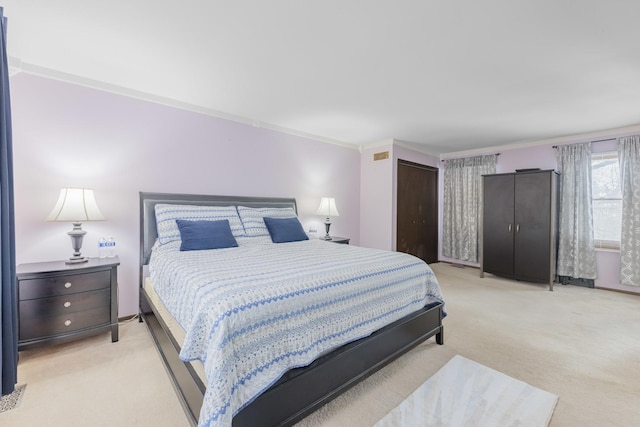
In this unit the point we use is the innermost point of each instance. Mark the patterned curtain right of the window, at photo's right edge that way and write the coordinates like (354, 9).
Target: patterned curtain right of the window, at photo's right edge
(629, 158)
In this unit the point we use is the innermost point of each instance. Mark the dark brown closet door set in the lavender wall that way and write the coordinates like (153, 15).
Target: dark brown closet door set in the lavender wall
(417, 211)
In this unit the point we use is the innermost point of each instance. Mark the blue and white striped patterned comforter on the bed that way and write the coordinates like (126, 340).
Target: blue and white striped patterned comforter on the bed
(253, 312)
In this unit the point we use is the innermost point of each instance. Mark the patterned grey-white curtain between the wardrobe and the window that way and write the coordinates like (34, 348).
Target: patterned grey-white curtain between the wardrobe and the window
(576, 248)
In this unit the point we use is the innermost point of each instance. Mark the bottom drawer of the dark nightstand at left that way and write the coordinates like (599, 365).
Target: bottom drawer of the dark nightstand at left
(41, 327)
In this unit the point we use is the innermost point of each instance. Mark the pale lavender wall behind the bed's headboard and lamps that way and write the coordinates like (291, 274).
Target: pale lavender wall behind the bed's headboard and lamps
(68, 135)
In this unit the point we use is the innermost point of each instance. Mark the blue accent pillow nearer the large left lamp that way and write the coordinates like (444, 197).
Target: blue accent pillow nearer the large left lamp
(200, 235)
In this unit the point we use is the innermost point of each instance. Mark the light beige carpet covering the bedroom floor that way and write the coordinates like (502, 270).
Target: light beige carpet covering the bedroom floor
(579, 343)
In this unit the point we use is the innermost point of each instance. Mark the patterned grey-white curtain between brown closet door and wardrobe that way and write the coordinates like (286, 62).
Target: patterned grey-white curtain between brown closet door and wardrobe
(462, 202)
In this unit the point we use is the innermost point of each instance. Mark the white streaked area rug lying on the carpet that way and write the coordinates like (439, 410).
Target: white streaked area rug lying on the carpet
(466, 393)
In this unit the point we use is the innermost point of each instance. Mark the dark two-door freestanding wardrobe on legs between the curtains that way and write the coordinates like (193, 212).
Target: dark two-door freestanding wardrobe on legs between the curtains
(519, 227)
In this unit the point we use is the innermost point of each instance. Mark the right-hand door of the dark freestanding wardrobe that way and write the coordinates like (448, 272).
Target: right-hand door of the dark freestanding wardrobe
(532, 241)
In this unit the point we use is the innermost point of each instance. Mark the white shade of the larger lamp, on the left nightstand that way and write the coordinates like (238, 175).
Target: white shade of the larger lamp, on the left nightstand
(76, 205)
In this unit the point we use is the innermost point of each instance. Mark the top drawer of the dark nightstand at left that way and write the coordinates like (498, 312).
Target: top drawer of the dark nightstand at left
(43, 287)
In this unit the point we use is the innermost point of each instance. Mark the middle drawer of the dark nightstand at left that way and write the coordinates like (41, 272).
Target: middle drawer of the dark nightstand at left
(64, 304)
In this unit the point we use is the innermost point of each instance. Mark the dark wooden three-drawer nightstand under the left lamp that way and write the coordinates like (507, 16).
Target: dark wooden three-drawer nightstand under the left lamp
(59, 302)
